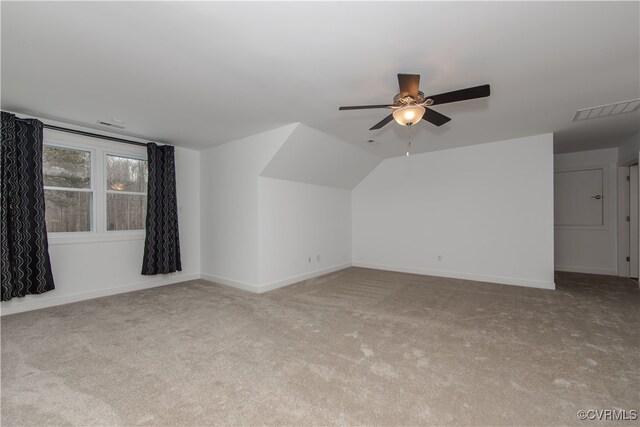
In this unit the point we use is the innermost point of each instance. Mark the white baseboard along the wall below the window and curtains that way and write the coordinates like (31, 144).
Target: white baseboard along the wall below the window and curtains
(35, 302)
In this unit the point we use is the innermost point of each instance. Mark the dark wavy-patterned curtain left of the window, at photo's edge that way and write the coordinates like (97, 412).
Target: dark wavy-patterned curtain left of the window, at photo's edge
(25, 266)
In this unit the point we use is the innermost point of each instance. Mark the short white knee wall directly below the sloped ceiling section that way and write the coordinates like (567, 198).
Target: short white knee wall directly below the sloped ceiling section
(304, 231)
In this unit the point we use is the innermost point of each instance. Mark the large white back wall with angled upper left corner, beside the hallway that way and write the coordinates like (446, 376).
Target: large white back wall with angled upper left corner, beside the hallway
(486, 209)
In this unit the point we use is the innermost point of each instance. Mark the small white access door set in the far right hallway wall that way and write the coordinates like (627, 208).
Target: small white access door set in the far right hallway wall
(578, 198)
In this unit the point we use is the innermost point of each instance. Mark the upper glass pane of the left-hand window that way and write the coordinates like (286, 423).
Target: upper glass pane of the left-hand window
(63, 167)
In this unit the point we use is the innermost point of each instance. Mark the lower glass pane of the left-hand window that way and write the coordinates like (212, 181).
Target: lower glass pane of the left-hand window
(68, 211)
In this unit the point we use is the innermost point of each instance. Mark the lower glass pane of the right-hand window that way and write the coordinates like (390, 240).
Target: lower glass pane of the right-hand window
(126, 211)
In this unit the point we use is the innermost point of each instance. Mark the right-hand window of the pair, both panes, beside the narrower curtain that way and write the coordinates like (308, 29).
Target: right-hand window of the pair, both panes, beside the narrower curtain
(126, 193)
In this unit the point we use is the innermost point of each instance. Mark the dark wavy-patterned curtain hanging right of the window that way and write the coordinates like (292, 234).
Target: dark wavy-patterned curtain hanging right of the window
(162, 243)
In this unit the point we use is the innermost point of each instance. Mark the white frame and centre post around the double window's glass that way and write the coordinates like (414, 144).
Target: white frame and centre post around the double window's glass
(99, 149)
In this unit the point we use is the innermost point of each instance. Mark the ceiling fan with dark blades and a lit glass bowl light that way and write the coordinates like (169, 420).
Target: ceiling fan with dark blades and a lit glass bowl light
(410, 105)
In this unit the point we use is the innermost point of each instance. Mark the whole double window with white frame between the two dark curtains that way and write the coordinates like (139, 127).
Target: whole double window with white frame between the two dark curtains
(93, 188)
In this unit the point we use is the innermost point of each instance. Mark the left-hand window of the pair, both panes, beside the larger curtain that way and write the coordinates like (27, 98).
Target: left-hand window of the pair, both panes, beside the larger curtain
(68, 189)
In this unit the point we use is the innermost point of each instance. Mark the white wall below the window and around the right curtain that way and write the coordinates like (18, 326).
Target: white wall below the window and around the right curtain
(90, 267)
